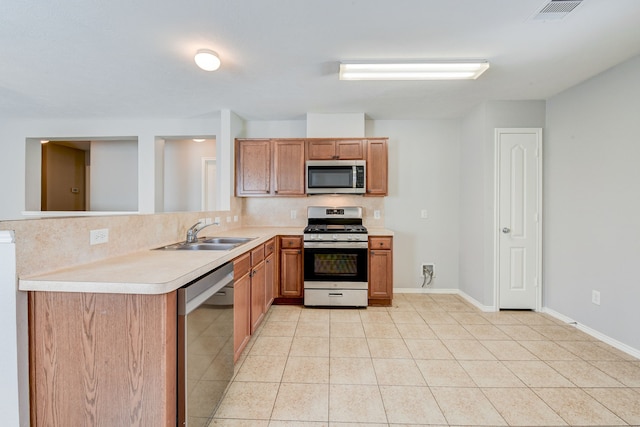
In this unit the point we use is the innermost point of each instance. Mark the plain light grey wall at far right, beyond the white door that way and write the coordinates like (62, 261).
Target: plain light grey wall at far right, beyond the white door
(592, 203)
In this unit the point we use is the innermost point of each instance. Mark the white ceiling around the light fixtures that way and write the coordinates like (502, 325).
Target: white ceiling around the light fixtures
(134, 58)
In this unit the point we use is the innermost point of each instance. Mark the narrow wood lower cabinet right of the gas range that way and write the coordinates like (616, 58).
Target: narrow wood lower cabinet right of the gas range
(380, 270)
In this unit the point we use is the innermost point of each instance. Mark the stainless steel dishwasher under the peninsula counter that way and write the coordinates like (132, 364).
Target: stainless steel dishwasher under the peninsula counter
(205, 345)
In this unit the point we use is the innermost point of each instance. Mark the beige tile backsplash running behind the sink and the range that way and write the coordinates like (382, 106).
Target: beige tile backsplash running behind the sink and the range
(48, 244)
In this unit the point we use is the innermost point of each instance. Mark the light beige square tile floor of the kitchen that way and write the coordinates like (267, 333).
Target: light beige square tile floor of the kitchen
(429, 360)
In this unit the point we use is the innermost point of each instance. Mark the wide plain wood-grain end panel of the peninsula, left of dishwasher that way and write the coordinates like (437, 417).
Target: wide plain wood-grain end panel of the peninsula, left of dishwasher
(102, 359)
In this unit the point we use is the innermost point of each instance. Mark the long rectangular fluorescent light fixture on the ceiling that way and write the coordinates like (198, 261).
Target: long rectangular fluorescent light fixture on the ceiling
(413, 70)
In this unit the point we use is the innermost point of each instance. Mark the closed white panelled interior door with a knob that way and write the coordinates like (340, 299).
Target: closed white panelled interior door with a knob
(518, 221)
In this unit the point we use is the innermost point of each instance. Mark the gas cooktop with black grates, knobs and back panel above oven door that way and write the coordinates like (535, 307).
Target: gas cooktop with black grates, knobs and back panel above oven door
(335, 224)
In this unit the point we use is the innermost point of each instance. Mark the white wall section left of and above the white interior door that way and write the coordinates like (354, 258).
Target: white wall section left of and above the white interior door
(477, 187)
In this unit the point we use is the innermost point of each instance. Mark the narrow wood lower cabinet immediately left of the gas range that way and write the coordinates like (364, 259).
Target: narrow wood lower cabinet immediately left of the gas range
(291, 264)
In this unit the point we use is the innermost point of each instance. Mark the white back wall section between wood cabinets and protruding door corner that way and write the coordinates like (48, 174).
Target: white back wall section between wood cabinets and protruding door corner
(424, 170)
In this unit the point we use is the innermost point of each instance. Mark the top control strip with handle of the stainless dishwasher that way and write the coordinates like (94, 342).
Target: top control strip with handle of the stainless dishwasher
(196, 293)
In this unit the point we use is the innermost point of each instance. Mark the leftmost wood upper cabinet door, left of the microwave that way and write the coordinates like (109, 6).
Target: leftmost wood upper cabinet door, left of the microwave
(253, 167)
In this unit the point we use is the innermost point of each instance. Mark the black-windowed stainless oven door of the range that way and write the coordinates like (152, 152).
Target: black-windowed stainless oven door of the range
(335, 265)
